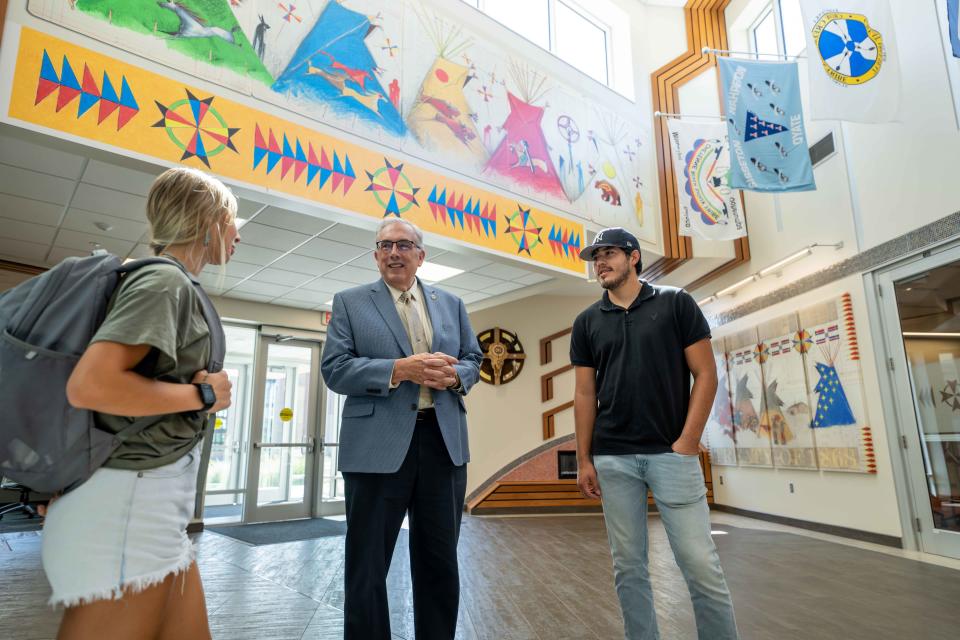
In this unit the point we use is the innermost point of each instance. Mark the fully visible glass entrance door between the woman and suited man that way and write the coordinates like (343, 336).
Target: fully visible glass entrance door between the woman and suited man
(283, 462)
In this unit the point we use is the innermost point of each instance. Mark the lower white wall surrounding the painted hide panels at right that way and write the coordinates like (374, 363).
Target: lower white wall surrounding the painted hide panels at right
(866, 502)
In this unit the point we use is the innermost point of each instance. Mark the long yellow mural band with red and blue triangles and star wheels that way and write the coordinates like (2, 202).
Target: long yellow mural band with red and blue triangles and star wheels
(78, 93)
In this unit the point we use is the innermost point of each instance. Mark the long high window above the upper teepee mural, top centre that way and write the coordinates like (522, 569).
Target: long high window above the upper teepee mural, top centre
(566, 29)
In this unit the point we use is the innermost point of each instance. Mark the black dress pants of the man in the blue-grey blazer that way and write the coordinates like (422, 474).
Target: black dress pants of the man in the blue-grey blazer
(431, 490)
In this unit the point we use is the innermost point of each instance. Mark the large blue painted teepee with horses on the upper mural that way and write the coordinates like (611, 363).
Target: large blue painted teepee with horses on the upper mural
(333, 64)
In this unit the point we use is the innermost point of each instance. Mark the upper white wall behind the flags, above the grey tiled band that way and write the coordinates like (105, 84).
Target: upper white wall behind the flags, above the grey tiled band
(902, 175)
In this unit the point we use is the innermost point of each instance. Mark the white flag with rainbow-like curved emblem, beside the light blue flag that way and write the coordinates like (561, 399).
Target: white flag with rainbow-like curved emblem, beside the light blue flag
(709, 208)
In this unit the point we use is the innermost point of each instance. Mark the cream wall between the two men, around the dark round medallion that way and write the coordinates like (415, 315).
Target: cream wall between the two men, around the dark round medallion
(505, 421)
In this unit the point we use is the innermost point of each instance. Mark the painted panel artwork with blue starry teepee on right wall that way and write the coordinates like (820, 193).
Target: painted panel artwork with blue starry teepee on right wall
(796, 395)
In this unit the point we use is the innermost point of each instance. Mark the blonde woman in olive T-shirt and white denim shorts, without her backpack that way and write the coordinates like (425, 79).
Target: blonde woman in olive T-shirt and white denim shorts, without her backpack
(115, 550)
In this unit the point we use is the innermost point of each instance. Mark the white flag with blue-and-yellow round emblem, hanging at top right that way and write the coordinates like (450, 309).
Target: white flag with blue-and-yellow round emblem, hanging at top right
(851, 60)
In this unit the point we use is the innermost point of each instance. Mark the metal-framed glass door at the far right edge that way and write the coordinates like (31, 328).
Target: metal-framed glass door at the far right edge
(925, 315)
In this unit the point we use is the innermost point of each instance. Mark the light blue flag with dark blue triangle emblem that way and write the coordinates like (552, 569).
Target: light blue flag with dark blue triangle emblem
(768, 143)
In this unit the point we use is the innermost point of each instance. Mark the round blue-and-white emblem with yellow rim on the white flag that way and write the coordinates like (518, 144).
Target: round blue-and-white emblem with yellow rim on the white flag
(850, 50)
